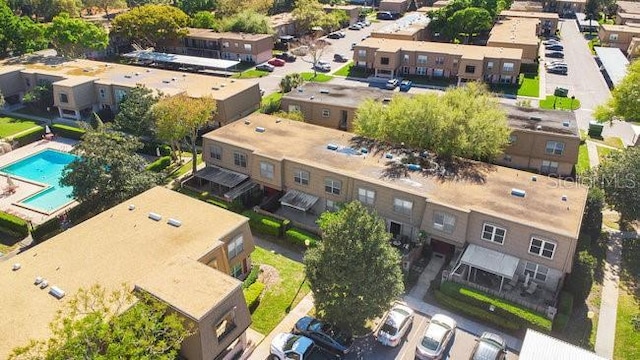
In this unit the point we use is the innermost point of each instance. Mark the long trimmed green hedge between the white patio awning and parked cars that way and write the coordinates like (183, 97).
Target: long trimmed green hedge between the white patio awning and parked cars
(511, 312)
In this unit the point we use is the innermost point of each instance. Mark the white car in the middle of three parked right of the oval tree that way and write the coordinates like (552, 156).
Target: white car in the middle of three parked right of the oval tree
(437, 337)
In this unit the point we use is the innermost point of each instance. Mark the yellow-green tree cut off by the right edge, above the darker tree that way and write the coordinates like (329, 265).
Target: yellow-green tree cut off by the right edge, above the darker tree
(624, 98)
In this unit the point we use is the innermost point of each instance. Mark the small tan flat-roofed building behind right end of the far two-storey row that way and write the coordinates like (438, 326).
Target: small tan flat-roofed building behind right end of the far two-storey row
(517, 33)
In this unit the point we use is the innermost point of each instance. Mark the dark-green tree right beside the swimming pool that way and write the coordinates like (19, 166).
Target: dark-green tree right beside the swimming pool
(107, 171)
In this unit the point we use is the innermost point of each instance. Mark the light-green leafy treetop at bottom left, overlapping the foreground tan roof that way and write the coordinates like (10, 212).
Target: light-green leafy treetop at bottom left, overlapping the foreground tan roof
(97, 324)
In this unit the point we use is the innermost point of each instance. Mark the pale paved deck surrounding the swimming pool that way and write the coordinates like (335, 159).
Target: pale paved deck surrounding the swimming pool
(26, 189)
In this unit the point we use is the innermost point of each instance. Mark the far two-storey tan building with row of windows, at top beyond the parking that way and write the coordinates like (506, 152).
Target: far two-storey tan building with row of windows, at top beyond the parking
(391, 58)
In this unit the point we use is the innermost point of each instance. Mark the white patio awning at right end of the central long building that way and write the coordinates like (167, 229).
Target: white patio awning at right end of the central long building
(490, 260)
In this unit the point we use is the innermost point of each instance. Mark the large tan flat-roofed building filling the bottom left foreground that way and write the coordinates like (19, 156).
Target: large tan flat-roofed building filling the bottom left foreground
(182, 251)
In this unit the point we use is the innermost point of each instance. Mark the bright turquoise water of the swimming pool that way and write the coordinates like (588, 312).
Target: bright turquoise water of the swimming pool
(44, 167)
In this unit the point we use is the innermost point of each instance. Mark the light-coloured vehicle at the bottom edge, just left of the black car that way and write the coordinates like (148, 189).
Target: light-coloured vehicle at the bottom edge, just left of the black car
(289, 346)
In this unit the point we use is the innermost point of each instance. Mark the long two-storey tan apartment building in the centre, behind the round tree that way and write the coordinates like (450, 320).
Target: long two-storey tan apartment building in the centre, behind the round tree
(533, 219)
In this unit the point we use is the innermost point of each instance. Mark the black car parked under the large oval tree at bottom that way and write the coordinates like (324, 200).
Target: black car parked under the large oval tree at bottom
(324, 335)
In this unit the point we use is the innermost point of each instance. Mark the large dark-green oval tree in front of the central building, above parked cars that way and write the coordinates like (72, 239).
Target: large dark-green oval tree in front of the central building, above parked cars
(354, 272)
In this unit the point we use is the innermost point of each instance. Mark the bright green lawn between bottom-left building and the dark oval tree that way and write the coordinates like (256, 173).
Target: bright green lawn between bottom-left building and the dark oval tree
(279, 298)
